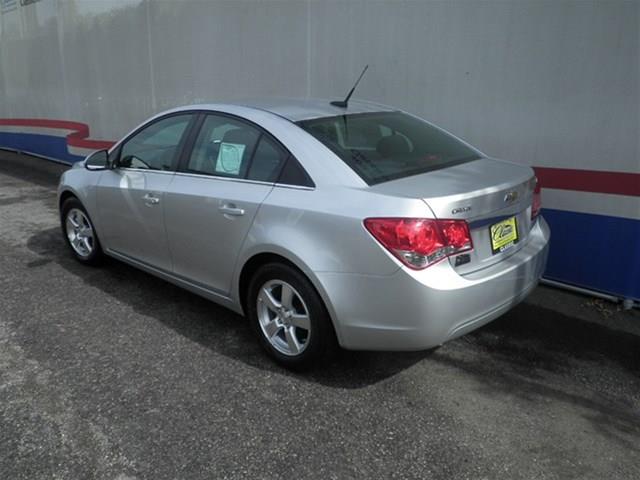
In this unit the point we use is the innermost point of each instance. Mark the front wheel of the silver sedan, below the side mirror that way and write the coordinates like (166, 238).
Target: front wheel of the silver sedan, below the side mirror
(79, 233)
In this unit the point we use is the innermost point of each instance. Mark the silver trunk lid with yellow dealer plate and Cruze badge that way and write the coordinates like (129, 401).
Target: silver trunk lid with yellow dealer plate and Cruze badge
(493, 196)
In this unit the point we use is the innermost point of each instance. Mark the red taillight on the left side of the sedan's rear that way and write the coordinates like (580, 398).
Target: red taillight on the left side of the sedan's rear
(420, 242)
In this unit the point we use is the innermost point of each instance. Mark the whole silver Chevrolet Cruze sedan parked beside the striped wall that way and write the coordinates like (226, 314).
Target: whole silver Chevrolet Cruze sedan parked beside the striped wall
(360, 226)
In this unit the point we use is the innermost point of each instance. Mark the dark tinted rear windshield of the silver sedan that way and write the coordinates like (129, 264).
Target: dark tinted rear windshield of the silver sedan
(386, 146)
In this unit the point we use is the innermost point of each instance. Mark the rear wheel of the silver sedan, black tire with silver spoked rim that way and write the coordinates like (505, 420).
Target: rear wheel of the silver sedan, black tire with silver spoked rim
(280, 323)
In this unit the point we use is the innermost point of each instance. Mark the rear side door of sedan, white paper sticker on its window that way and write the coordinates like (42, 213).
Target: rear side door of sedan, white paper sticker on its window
(211, 203)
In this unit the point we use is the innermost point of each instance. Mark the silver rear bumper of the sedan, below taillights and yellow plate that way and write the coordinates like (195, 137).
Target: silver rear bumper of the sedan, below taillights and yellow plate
(416, 310)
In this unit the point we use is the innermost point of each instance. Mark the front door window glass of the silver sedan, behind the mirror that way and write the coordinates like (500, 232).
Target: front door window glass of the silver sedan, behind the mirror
(156, 146)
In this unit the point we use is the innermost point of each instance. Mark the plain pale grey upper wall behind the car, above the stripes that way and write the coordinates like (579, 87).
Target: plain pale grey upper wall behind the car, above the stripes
(547, 83)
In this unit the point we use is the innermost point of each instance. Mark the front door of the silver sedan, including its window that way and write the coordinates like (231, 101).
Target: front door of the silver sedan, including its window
(131, 196)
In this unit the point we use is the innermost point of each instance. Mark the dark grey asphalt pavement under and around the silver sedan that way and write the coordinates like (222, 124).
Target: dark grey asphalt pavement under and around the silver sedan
(110, 373)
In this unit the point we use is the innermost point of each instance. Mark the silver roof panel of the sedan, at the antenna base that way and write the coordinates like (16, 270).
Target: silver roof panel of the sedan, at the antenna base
(297, 109)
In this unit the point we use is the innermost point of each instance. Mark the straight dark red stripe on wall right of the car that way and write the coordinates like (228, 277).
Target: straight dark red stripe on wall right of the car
(617, 183)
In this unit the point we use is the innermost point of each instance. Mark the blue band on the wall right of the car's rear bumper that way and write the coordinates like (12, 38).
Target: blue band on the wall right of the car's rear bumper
(595, 251)
